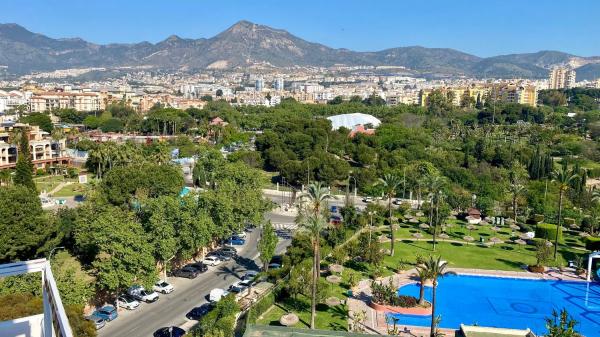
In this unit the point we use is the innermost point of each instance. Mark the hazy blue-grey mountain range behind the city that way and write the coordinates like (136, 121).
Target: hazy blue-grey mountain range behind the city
(247, 44)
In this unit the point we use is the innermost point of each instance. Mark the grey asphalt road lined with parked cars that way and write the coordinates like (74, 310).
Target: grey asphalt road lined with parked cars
(171, 309)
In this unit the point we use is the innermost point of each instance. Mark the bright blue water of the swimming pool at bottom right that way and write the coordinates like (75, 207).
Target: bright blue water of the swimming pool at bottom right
(507, 303)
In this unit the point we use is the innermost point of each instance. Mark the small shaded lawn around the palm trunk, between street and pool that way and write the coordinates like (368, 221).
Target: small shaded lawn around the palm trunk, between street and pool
(328, 318)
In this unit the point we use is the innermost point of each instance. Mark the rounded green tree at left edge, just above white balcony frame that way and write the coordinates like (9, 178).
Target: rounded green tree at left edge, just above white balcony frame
(24, 228)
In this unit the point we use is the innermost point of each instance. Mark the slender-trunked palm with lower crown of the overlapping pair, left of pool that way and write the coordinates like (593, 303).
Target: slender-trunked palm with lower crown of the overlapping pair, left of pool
(314, 224)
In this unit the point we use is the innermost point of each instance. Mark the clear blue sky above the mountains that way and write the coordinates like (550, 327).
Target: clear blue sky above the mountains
(483, 28)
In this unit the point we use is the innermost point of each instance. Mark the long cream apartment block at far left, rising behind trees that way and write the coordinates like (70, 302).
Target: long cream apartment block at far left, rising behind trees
(52, 100)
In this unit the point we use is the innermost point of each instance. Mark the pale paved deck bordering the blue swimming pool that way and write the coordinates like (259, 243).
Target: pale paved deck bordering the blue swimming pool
(375, 322)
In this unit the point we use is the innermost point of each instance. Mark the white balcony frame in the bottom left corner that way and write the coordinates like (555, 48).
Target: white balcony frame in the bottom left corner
(53, 322)
